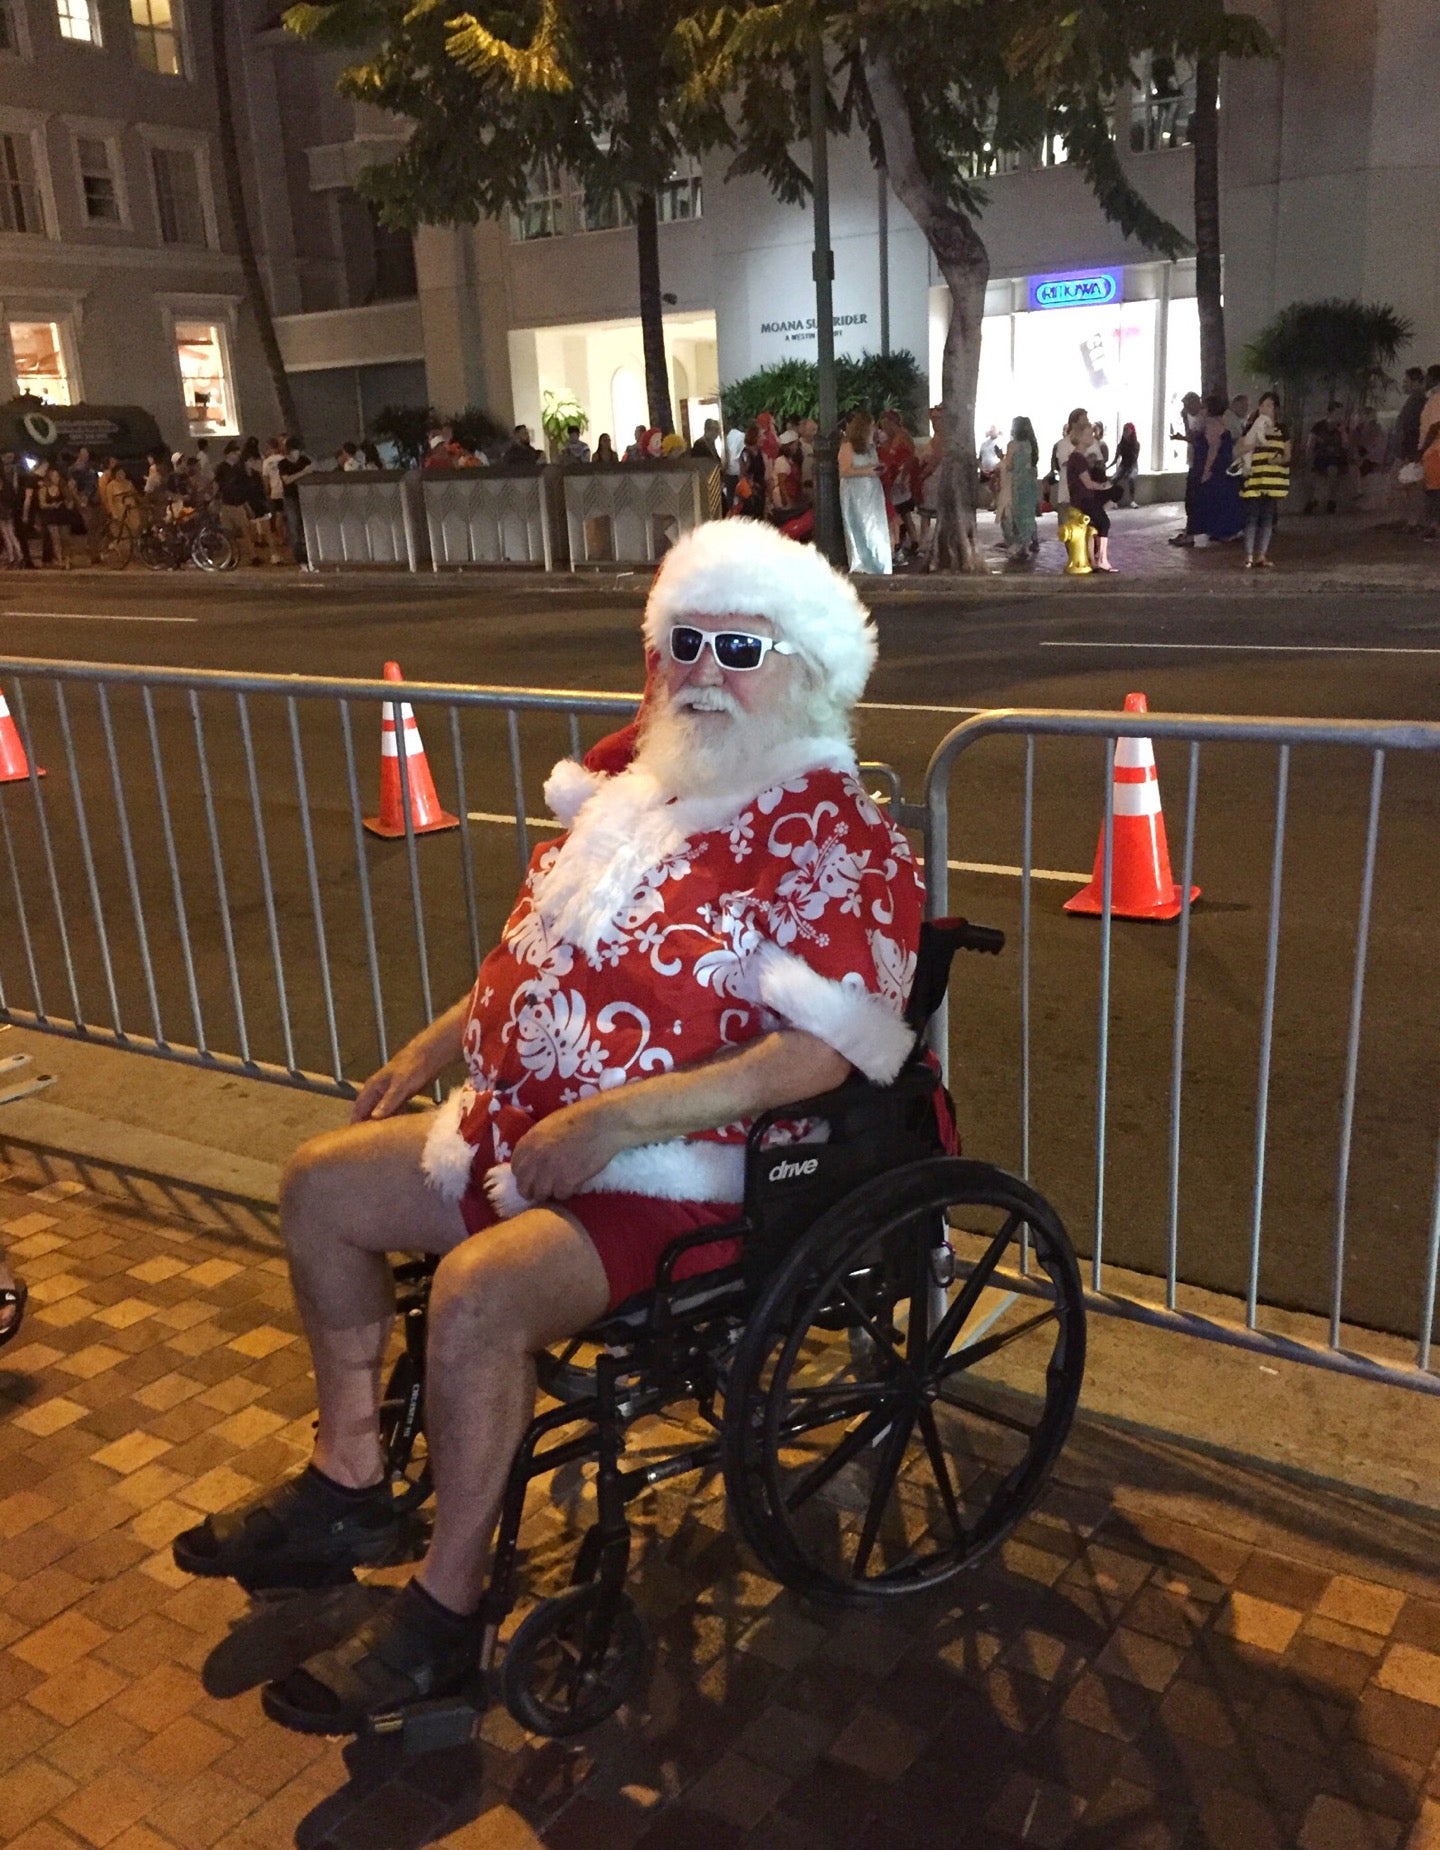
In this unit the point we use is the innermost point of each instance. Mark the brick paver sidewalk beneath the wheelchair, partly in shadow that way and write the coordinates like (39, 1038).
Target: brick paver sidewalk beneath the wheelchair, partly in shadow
(1173, 1653)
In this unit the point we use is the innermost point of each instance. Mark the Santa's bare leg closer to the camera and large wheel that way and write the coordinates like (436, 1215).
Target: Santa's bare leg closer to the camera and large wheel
(497, 1300)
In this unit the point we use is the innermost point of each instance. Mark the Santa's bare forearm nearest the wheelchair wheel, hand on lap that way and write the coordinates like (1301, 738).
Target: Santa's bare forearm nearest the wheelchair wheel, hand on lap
(565, 1150)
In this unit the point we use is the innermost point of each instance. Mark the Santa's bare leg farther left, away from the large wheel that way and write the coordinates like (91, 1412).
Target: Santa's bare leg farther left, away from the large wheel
(347, 1200)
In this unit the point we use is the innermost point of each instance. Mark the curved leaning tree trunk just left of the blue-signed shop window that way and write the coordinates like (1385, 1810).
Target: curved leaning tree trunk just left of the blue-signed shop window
(965, 265)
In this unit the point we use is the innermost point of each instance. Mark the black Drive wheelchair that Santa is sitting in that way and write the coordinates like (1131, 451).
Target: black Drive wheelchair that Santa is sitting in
(886, 1379)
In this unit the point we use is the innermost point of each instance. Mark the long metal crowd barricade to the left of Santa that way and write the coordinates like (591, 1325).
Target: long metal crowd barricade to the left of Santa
(193, 878)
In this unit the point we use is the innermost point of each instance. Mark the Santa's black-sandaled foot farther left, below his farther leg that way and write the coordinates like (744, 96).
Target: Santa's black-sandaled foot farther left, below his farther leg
(299, 1535)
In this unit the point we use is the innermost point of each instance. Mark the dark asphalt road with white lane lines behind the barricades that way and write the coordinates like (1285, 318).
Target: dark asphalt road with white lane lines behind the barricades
(1261, 650)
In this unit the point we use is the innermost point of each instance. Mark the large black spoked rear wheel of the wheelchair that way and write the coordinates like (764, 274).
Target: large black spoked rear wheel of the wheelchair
(906, 1383)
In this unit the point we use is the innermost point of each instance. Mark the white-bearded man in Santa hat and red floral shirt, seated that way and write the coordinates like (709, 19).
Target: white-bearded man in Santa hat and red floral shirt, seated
(726, 926)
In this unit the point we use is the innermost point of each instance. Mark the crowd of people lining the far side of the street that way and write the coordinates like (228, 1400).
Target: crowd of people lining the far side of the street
(1239, 469)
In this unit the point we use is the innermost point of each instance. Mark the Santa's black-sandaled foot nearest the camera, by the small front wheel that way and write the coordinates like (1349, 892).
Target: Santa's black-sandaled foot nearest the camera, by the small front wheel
(412, 1651)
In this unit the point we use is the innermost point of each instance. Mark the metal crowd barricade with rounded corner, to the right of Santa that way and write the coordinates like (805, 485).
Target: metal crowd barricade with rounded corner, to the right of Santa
(1378, 743)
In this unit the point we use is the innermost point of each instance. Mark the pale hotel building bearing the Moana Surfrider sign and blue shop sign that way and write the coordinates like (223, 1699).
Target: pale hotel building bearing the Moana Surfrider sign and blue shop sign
(1330, 188)
